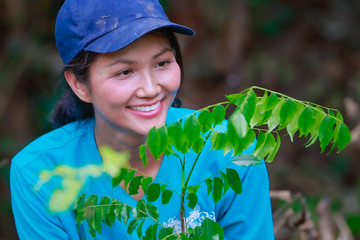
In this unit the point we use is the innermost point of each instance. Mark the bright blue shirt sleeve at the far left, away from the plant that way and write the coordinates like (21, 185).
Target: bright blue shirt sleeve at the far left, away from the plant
(32, 217)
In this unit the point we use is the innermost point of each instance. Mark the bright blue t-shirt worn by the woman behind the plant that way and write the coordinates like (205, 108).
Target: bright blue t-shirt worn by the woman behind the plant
(245, 216)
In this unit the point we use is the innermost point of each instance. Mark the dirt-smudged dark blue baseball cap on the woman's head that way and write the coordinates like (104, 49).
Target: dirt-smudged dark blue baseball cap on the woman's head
(104, 26)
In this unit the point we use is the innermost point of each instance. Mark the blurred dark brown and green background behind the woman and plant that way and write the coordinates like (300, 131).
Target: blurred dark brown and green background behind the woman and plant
(307, 49)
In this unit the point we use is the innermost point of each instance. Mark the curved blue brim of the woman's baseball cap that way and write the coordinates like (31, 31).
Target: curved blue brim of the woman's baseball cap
(126, 34)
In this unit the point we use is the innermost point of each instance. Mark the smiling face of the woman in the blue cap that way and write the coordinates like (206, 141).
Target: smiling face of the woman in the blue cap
(134, 87)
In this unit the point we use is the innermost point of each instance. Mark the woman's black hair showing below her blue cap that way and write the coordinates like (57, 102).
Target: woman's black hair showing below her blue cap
(70, 108)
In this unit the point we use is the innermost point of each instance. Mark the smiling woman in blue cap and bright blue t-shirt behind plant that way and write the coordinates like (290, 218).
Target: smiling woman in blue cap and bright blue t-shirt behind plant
(123, 68)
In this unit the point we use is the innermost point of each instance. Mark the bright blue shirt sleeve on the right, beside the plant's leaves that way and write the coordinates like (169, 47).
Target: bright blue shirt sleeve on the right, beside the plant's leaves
(248, 215)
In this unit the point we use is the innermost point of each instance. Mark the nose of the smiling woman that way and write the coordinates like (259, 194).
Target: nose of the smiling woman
(149, 86)
